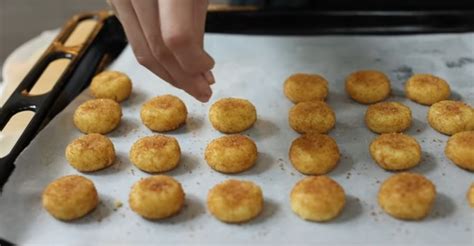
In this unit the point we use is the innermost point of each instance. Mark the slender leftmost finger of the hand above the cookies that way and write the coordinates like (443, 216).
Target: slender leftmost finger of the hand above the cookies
(135, 36)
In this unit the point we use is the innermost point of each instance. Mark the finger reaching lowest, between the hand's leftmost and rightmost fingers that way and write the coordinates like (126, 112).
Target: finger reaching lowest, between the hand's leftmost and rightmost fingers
(194, 84)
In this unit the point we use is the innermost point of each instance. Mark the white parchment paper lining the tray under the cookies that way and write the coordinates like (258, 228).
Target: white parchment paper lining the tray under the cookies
(254, 67)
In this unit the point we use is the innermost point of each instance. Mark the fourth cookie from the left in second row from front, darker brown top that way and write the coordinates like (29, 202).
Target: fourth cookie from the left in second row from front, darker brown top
(314, 154)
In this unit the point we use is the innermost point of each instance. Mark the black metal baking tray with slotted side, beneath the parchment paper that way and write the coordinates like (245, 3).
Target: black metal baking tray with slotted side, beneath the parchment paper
(341, 17)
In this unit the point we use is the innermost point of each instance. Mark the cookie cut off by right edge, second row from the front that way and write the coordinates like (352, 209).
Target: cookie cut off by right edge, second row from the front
(460, 149)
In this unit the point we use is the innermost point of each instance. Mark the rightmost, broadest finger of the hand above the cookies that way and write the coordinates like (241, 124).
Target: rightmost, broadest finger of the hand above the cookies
(180, 35)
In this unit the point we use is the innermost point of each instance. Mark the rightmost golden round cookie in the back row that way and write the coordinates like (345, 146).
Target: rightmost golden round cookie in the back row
(427, 89)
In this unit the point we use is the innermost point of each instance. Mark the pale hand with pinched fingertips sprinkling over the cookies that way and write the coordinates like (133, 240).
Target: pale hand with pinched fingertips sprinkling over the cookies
(167, 38)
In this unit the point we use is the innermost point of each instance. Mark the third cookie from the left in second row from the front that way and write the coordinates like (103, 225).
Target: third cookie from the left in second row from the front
(231, 154)
